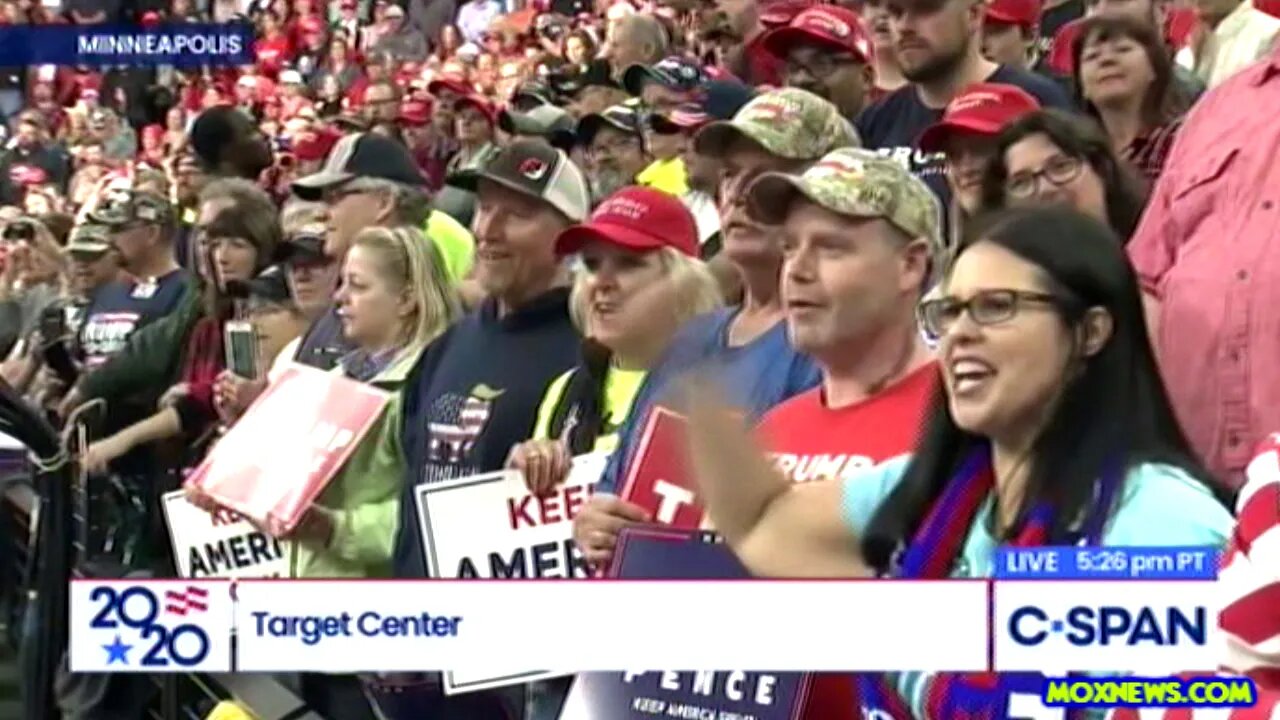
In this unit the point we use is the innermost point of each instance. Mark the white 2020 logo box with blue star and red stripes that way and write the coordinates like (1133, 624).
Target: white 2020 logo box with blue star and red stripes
(152, 626)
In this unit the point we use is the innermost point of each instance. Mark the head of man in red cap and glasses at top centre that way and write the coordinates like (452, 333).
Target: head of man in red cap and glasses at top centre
(826, 52)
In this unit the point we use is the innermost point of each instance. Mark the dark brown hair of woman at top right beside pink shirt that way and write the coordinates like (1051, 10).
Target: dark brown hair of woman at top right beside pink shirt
(1164, 102)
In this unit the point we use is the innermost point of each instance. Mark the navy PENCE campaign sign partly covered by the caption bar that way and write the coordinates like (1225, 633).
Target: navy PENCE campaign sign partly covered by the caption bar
(662, 554)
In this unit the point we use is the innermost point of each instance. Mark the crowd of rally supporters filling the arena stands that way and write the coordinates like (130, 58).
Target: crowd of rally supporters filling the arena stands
(926, 277)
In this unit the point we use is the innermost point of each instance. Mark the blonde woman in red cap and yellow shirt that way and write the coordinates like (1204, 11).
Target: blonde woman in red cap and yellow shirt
(641, 281)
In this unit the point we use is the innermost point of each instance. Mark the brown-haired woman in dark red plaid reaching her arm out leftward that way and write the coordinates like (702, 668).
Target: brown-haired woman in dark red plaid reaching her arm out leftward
(239, 231)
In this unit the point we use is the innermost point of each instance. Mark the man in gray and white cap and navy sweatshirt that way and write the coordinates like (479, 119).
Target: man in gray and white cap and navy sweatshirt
(477, 393)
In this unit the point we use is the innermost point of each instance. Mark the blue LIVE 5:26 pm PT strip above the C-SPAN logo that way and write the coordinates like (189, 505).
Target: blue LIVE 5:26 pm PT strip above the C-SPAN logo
(1195, 563)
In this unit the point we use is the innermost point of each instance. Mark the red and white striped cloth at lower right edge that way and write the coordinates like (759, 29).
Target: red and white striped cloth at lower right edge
(1250, 581)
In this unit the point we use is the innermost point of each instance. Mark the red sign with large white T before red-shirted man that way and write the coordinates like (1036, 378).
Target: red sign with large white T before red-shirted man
(660, 479)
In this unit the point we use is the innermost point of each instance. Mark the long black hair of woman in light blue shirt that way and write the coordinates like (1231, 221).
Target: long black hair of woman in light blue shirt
(1114, 409)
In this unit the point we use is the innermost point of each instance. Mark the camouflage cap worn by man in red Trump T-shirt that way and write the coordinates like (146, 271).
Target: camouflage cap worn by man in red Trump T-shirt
(858, 184)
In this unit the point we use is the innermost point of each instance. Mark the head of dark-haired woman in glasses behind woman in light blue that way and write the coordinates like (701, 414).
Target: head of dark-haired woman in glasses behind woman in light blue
(1055, 158)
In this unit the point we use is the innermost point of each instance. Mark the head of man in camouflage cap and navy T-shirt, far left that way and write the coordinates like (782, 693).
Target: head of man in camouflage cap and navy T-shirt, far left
(141, 227)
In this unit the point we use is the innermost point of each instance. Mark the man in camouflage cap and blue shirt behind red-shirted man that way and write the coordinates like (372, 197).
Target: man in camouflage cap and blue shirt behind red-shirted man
(778, 131)
